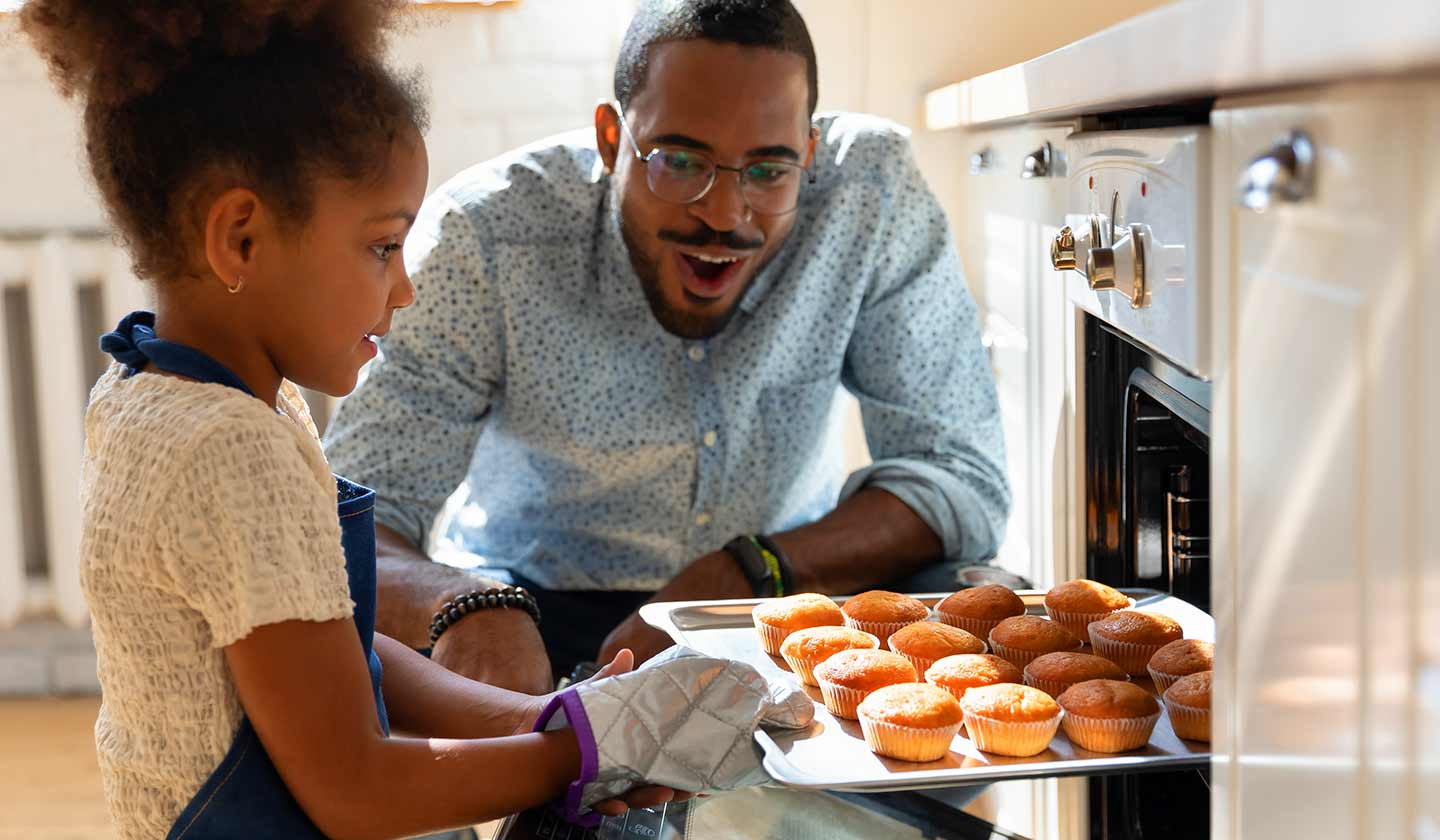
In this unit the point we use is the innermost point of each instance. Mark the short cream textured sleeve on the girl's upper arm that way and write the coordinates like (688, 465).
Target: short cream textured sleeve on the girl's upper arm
(256, 534)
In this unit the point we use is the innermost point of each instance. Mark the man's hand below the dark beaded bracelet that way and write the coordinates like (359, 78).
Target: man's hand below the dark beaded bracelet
(500, 648)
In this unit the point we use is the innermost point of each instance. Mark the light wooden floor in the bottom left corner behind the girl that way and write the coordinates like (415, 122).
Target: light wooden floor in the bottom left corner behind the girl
(50, 782)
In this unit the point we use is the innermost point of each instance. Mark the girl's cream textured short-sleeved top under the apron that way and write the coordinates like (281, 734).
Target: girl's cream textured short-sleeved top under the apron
(207, 515)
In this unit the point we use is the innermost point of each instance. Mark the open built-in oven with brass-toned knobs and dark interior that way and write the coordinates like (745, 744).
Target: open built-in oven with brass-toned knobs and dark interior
(1134, 259)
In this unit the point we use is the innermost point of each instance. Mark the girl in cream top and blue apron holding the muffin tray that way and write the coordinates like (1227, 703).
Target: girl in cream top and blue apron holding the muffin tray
(263, 166)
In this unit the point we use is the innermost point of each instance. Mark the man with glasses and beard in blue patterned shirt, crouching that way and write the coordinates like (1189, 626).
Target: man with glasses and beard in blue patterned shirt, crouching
(633, 347)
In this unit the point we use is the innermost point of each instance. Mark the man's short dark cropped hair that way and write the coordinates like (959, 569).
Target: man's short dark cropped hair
(767, 24)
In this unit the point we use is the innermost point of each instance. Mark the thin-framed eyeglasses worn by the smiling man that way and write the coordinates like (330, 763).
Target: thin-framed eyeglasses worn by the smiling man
(683, 177)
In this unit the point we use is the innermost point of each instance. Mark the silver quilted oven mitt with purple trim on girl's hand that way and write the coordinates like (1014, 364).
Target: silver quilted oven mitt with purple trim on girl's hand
(683, 720)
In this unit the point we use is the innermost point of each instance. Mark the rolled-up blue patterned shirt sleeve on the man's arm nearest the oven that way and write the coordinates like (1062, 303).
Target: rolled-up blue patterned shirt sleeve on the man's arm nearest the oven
(918, 368)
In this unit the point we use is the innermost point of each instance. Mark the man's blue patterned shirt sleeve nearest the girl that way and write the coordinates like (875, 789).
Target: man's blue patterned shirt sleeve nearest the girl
(411, 429)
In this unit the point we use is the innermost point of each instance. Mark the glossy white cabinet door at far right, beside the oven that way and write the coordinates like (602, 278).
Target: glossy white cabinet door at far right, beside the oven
(1327, 375)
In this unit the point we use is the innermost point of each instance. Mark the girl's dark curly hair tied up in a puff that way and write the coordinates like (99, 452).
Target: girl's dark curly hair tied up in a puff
(188, 99)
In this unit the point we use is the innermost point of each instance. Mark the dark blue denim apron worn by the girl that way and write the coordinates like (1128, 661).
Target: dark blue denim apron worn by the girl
(246, 796)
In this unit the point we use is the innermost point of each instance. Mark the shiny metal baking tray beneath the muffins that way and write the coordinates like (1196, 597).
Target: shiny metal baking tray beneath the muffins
(832, 754)
